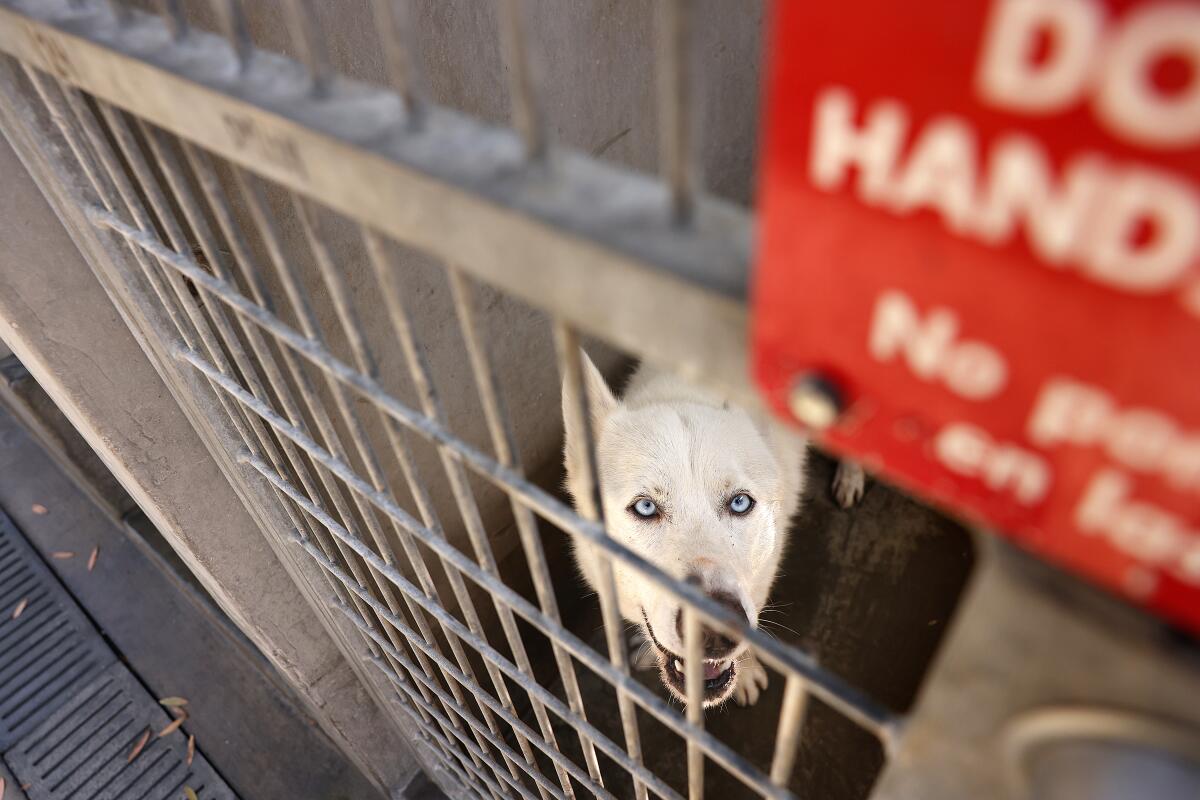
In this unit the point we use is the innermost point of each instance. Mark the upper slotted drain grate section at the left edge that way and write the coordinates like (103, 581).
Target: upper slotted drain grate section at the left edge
(50, 651)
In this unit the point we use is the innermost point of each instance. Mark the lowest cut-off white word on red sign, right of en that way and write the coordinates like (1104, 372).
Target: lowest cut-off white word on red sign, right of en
(1142, 531)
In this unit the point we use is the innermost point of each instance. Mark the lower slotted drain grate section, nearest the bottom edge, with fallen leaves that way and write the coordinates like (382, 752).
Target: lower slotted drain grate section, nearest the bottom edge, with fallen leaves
(83, 750)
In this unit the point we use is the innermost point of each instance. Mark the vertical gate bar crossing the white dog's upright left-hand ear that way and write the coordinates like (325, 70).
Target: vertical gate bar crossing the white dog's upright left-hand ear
(567, 347)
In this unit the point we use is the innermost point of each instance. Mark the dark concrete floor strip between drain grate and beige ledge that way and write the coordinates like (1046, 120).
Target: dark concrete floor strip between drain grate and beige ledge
(247, 721)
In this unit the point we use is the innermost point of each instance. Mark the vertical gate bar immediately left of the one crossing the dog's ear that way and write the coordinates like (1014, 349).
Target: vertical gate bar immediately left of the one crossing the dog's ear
(507, 454)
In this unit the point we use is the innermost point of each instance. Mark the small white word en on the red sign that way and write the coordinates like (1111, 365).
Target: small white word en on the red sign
(1003, 467)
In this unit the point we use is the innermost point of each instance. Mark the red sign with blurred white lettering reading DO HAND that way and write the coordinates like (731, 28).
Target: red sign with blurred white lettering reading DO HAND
(981, 224)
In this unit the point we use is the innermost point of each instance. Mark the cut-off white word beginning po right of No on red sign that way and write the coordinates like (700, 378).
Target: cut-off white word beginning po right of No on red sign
(1142, 440)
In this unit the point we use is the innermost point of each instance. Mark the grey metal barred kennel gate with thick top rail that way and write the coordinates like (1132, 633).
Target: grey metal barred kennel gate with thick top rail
(177, 146)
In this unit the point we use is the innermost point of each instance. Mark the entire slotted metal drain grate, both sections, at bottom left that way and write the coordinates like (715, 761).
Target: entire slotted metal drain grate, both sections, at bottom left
(70, 713)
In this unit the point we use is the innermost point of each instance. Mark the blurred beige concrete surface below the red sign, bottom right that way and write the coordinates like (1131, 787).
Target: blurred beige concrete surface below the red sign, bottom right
(1031, 640)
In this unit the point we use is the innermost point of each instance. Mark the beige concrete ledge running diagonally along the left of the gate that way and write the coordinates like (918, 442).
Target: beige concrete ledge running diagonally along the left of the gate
(59, 321)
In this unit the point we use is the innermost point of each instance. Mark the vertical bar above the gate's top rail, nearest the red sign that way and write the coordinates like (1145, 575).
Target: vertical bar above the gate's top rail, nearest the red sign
(676, 112)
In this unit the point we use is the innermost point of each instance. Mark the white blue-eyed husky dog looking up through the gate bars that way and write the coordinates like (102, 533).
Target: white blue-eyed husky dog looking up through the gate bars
(705, 492)
